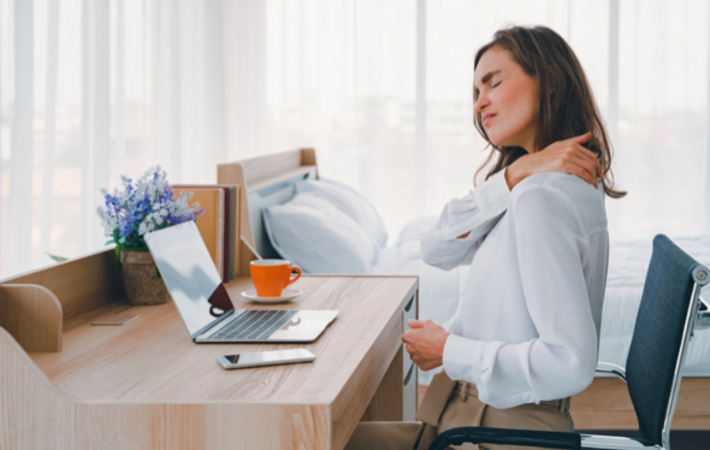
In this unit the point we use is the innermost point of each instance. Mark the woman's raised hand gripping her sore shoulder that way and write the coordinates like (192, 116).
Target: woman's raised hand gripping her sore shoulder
(568, 156)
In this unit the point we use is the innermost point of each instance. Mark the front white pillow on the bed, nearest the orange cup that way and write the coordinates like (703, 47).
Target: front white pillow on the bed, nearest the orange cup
(312, 233)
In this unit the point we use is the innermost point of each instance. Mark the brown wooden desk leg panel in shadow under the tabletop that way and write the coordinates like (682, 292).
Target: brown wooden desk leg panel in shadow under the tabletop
(387, 403)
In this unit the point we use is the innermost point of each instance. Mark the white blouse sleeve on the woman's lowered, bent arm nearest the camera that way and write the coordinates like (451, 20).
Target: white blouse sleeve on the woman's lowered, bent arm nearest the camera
(560, 362)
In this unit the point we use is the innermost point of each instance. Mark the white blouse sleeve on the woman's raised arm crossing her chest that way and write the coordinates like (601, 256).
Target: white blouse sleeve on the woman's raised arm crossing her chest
(477, 212)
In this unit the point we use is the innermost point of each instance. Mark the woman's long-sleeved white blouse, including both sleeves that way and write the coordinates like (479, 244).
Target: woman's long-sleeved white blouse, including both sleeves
(527, 328)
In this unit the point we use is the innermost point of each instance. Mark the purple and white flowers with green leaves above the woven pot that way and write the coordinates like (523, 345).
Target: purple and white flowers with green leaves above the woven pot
(142, 207)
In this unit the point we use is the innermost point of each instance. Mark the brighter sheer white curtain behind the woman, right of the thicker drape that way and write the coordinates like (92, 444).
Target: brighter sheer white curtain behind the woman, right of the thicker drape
(352, 79)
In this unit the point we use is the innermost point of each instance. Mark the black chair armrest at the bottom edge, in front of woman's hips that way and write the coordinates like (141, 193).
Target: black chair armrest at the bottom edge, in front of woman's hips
(504, 436)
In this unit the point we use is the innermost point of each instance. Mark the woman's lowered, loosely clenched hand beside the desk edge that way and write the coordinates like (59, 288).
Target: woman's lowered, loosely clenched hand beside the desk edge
(425, 342)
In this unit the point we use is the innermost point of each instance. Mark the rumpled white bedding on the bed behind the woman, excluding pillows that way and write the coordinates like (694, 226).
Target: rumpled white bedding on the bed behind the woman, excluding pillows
(440, 291)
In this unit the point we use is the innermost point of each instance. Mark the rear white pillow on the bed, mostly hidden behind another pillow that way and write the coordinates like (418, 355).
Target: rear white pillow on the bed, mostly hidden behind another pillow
(351, 202)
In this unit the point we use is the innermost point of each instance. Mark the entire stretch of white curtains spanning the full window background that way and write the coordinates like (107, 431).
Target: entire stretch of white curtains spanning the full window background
(91, 89)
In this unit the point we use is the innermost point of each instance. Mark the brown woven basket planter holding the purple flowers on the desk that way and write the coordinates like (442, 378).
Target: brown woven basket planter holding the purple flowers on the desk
(141, 279)
